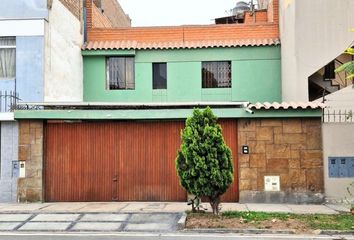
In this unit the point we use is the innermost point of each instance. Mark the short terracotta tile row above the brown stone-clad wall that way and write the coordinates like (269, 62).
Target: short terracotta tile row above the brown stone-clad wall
(285, 105)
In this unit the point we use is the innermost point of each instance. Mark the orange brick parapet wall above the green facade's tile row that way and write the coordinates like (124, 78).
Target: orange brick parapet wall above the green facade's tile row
(187, 33)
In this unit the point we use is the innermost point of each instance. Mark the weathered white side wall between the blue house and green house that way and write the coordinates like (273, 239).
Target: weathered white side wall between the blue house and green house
(63, 60)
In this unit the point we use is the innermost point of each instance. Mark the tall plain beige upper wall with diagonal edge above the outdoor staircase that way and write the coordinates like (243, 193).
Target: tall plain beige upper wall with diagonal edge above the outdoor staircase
(312, 34)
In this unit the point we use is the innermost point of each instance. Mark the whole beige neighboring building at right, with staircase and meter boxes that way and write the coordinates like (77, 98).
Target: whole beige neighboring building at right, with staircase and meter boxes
(314, 35)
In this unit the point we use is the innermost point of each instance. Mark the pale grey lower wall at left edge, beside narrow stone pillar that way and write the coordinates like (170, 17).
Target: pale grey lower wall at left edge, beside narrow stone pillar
(8, 153)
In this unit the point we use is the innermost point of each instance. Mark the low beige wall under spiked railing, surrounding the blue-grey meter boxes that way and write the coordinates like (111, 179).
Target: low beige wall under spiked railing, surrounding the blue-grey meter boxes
(337, 142)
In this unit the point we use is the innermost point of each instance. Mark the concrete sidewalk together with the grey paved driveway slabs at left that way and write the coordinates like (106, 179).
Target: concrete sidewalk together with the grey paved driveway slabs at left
(121, 217)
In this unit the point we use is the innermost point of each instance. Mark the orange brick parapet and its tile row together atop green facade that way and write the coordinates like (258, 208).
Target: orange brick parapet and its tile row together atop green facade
(178, 37)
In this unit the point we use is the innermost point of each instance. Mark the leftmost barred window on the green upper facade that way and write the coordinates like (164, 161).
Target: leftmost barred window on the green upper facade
(120, 73)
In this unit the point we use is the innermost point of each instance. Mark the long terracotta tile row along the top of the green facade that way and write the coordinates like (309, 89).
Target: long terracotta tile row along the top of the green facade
(126, 45)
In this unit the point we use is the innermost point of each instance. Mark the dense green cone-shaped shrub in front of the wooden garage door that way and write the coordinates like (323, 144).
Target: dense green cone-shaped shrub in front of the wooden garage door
(204, 162)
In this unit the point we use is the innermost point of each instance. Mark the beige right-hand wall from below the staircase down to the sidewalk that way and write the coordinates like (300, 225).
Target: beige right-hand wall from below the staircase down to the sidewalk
(338, 141)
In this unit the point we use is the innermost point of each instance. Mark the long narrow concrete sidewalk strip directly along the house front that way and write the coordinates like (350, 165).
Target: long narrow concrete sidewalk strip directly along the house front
(162, 207)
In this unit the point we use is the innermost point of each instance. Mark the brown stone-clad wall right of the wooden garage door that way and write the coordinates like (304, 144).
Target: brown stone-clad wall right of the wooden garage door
(289, 148)
